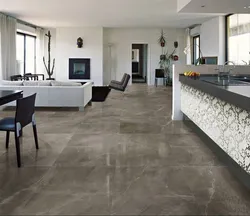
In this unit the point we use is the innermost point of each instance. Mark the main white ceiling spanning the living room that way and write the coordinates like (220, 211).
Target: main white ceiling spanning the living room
(101, 13)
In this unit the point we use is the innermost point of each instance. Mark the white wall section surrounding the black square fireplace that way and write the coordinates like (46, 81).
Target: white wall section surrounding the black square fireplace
(92, 48)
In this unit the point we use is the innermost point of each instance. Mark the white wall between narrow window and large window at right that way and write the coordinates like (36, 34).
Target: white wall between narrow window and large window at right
(212, 36)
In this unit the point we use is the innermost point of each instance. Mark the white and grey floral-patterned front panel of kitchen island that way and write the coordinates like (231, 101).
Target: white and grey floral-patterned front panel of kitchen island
(226, 124)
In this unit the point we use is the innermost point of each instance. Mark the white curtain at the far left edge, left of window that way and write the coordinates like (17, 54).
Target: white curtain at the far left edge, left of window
(8, 61)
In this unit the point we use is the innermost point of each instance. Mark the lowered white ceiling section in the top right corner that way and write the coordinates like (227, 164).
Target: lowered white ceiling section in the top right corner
(216, 6)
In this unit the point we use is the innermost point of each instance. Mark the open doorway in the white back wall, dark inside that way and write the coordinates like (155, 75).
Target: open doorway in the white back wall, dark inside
(139, 63)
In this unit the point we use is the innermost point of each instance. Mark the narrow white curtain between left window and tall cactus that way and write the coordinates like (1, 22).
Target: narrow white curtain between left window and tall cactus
(40, 40)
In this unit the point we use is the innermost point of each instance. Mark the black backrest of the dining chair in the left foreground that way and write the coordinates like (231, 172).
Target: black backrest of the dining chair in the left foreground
(25, 110)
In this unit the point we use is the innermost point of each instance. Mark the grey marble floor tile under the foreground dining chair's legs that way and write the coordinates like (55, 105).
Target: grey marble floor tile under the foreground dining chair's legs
(50, 148)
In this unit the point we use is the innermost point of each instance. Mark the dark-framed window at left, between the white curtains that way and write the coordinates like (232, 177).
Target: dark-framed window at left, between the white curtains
(26, 53)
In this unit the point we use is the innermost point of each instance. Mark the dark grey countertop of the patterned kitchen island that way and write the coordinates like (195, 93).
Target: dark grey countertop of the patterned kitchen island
(236, 95)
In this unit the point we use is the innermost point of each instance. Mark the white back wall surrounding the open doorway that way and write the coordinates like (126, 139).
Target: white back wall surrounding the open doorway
(122, 40)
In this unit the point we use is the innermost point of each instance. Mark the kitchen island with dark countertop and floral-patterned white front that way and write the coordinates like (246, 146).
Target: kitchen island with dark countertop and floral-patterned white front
(222, 114)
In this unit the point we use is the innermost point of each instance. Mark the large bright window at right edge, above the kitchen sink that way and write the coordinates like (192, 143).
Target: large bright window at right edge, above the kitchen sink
(238, 38)
